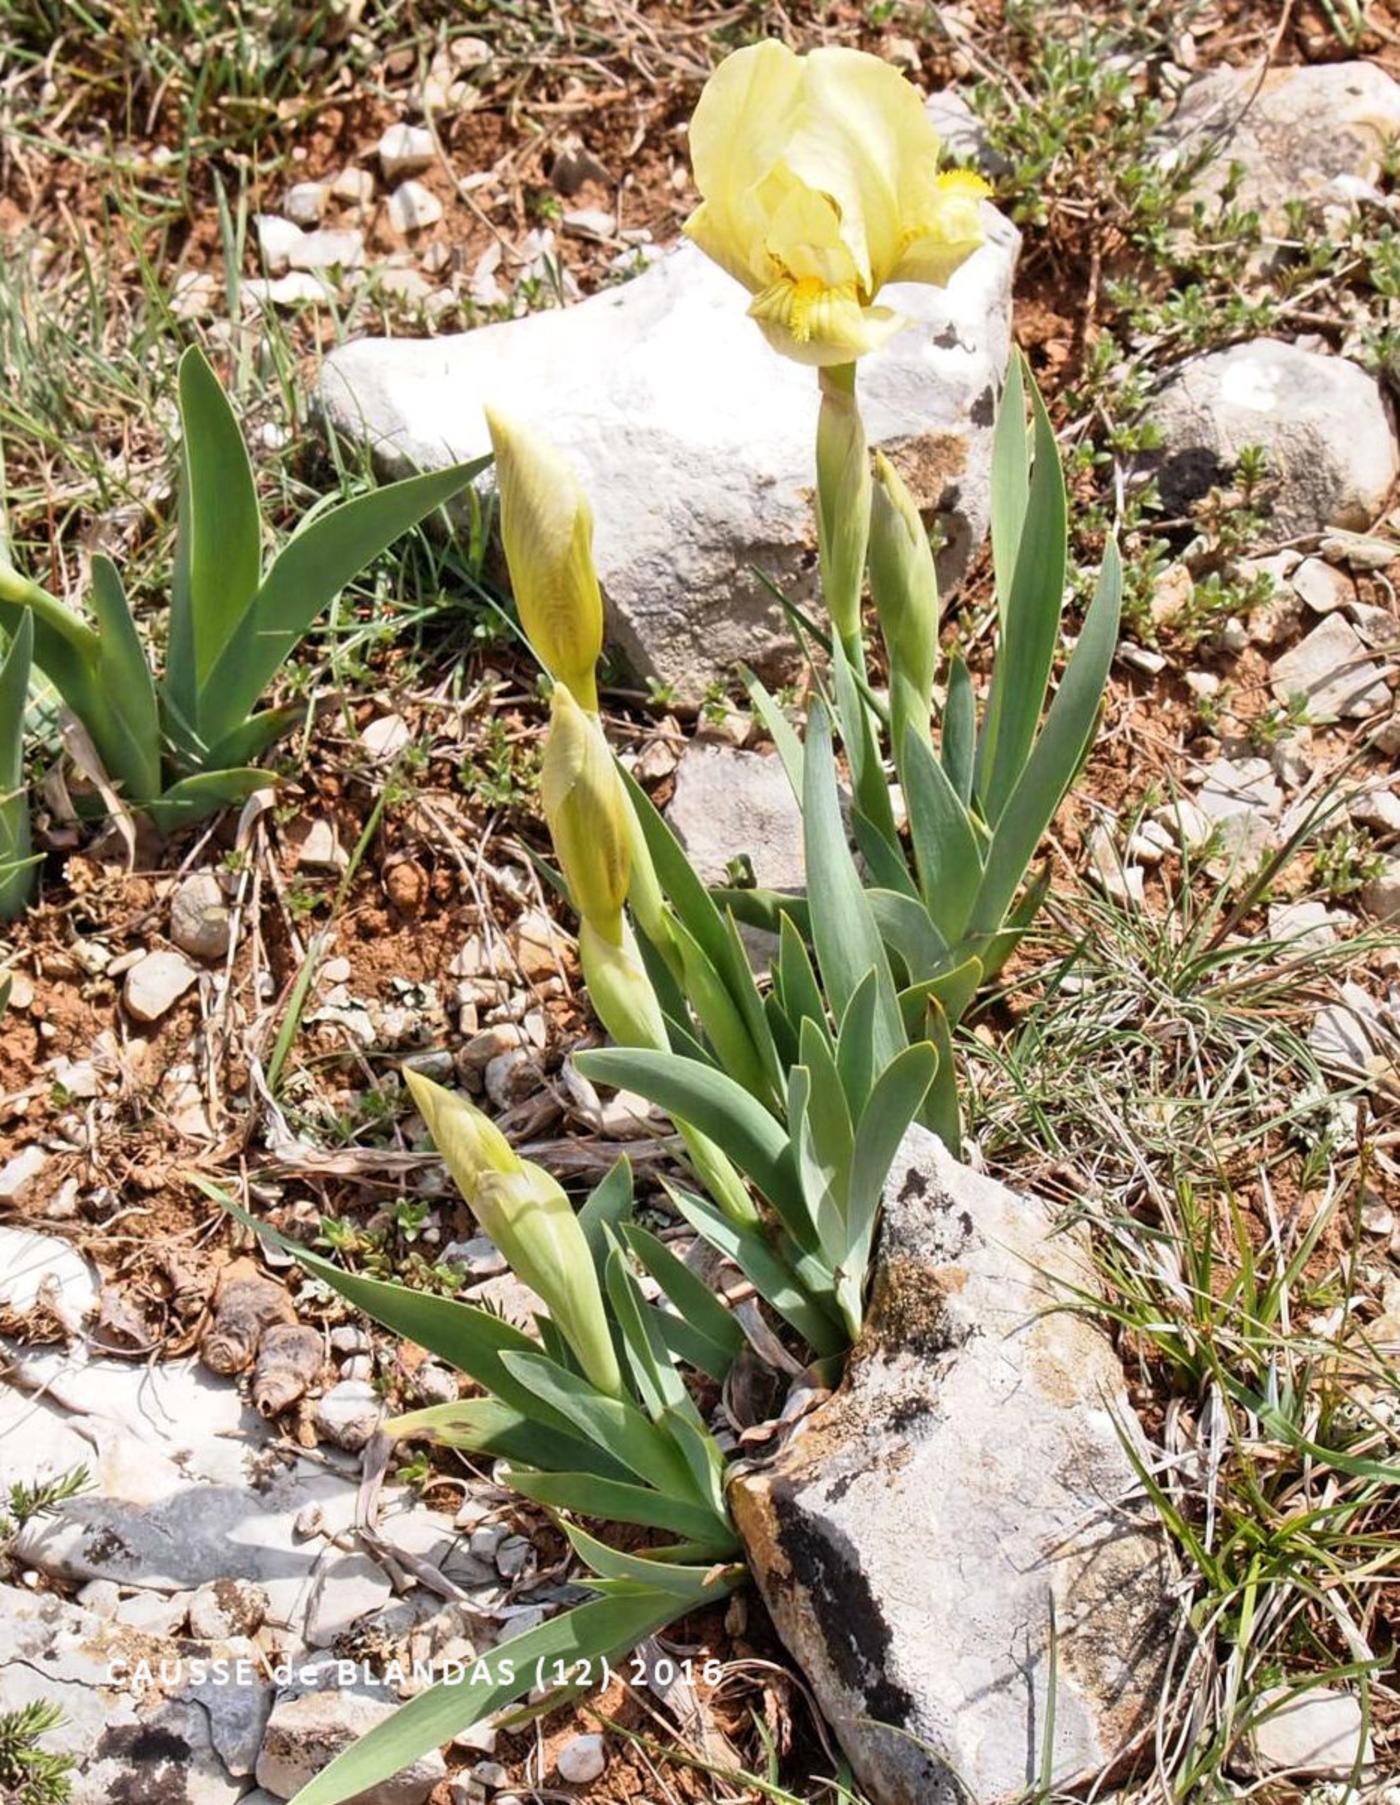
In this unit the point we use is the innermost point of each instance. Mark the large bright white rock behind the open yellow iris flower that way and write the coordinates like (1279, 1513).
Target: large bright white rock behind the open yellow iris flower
(695, 441)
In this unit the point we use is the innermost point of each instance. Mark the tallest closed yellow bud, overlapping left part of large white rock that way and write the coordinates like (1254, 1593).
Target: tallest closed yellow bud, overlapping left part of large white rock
(548, 530)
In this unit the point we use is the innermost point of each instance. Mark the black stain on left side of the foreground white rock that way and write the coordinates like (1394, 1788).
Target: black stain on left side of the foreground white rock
(852, 1625)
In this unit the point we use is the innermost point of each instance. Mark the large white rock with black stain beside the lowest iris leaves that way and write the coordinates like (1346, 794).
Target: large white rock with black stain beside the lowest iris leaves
(968, 1477)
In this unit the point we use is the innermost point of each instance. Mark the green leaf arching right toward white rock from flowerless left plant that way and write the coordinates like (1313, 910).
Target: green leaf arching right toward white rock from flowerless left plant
(306, 577)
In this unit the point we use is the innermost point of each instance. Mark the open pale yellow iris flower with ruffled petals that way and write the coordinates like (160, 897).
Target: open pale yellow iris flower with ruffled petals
(820, 183)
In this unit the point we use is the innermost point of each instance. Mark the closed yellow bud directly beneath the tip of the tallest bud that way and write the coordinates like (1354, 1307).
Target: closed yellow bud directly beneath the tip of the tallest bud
(589, 815)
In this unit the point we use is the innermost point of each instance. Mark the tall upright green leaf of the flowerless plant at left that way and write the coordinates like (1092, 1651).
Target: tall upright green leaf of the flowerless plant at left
(219, 541)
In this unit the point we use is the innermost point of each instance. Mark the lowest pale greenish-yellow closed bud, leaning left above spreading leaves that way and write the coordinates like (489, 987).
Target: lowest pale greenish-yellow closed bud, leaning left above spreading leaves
(531, 1221)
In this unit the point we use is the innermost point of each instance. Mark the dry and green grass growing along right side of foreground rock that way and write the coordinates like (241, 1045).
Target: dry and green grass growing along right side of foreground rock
(1161, 1082)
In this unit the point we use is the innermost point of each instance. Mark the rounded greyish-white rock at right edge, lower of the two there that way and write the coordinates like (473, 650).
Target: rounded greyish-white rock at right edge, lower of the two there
(1325, 425)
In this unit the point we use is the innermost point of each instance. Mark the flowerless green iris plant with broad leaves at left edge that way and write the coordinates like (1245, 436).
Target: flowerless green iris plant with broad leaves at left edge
(181, 748)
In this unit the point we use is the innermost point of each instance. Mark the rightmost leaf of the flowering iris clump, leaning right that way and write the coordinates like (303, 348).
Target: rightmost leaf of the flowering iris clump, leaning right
(1058, 754)
